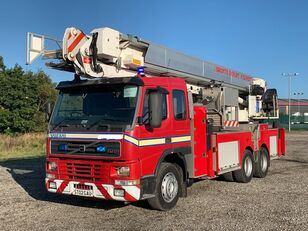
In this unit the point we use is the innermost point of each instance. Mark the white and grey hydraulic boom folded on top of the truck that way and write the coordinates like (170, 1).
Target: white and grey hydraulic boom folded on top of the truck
(106, 53)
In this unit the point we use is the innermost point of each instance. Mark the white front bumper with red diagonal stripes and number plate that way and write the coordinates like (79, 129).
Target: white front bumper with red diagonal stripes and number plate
(96, 190)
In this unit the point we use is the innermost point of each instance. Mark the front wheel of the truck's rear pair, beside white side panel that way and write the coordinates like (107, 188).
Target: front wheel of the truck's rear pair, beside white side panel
(244, 175)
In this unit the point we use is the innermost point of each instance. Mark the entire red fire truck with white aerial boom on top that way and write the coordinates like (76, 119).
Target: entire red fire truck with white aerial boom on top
(140, 121)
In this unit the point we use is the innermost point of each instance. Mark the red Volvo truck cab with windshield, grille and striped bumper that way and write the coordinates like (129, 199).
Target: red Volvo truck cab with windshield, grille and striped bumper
(108, 138)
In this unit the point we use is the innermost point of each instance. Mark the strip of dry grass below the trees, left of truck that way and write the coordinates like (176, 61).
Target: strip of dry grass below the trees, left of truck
(23, 146)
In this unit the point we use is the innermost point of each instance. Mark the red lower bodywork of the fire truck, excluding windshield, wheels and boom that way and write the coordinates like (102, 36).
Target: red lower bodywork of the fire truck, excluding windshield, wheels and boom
(188, 143)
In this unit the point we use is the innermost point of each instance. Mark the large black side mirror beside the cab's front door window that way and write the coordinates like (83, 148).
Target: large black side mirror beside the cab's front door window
(155, 109)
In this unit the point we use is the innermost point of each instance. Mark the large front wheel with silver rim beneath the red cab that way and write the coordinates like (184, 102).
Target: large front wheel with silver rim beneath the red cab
(168, 187)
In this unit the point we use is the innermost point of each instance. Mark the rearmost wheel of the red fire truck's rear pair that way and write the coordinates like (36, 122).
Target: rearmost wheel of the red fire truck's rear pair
(262, 163)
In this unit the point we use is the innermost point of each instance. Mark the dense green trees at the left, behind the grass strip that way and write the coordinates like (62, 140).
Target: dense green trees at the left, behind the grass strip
(24, 96)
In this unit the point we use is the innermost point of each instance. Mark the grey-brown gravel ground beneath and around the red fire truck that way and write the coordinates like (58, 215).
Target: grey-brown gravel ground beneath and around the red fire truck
(277, 202)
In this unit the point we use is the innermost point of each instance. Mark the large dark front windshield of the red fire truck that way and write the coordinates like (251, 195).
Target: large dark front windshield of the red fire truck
(107, 108)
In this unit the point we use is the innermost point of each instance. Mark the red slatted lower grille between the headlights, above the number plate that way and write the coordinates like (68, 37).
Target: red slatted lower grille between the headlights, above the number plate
(86, 171)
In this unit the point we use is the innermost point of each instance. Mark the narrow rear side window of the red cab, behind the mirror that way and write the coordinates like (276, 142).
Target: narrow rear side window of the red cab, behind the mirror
(179, 105)
